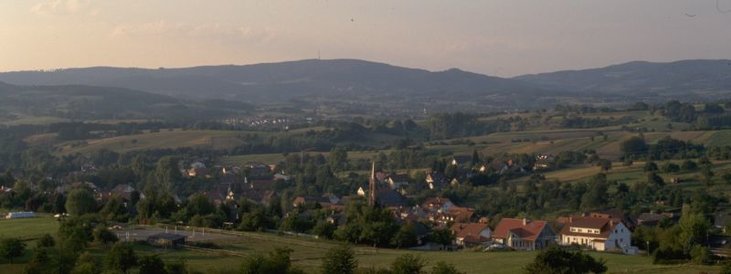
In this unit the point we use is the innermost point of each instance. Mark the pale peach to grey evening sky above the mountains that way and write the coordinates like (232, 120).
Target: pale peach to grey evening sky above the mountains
(495, 37)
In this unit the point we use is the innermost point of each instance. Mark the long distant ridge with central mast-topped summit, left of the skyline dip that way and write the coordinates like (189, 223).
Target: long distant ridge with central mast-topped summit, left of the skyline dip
(282, 81)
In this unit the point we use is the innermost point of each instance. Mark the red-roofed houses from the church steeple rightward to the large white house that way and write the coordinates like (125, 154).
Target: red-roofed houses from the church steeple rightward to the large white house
(601, 231)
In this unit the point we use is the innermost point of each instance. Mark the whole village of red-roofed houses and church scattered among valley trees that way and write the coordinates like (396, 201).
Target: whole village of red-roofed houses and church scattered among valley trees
(604, 230)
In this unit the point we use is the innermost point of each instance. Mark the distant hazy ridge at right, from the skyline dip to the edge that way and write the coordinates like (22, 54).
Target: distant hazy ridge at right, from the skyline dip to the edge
(686, 79)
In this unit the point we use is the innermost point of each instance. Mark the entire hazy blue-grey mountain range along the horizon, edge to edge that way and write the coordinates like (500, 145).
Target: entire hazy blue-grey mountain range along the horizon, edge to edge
(365, 84)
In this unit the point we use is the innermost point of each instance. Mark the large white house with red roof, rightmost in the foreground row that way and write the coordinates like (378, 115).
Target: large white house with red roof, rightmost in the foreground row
(595, 232)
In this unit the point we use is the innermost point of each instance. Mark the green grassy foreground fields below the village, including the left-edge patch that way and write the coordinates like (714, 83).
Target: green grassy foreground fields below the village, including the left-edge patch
(307, 253)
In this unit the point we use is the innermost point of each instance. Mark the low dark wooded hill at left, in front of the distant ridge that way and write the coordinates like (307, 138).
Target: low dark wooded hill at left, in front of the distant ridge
(91, 102)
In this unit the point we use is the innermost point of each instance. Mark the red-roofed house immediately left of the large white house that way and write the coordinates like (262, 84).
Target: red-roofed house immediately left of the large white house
(524, 234)
